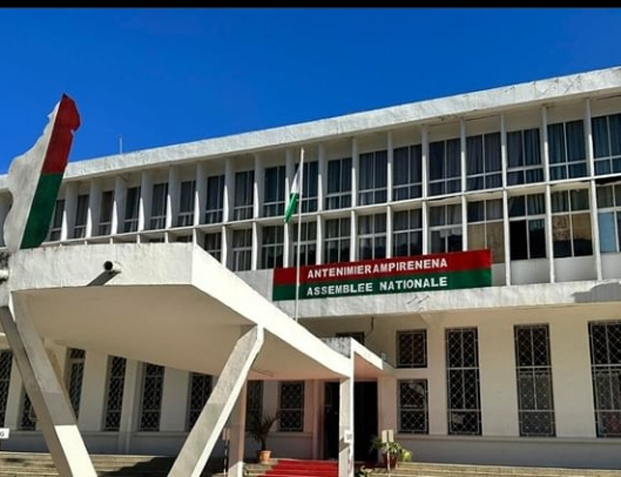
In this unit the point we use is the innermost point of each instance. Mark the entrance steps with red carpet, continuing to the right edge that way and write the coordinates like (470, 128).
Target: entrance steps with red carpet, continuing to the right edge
(310, 468)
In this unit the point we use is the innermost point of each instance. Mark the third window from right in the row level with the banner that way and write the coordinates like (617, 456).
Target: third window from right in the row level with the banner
(527, 227)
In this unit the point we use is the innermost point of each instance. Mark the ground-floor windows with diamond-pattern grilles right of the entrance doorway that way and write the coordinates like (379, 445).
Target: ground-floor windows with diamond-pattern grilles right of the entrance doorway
(533, 377)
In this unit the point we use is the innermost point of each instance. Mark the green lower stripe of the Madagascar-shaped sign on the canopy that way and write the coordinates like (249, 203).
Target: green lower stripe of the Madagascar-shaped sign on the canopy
(42, 208)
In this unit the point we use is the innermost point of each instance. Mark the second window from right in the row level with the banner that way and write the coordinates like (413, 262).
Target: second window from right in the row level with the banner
(571, 224)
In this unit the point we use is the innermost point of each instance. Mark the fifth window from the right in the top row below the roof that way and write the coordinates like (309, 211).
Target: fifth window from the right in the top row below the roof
(444, 167)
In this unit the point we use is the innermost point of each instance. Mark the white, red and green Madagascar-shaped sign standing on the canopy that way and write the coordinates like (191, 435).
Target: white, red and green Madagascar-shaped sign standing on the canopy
(34, 179)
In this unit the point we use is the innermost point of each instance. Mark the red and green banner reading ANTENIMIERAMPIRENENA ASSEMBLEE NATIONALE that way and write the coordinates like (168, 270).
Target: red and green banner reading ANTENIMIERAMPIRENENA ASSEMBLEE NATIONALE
(448, 271)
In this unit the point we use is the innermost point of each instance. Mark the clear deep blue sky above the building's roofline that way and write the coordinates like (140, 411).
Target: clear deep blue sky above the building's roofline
(164, 76)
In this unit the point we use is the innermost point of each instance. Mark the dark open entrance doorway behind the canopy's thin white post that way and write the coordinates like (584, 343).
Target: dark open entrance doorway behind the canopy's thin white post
(365, 421)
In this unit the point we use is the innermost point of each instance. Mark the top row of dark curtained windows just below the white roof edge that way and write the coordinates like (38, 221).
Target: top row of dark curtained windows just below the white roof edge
(568, 159)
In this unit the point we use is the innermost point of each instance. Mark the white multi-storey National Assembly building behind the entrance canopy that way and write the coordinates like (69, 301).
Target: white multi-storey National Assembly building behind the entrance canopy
(525, 371)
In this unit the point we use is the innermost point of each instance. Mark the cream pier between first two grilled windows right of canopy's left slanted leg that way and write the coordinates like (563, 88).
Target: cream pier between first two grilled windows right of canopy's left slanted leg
(93, 393)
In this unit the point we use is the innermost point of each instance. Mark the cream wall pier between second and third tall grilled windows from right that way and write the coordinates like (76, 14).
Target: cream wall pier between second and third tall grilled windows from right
(498, 383)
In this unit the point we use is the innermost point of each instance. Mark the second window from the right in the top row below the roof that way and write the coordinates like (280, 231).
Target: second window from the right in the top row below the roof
(567, 150)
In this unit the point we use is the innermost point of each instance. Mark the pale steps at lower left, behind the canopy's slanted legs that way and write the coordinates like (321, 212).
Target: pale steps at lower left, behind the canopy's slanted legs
(35, 464)
